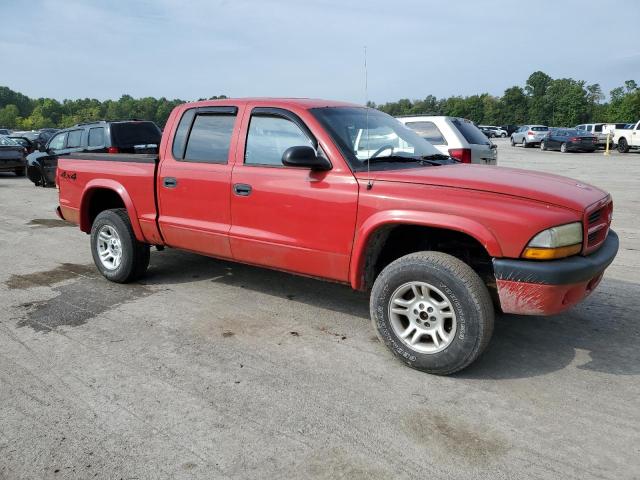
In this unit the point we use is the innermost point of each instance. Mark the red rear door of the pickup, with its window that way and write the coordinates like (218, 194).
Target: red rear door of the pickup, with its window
(193, 181)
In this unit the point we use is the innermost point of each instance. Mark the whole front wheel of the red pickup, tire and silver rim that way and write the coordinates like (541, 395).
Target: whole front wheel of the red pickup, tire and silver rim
(432, 311)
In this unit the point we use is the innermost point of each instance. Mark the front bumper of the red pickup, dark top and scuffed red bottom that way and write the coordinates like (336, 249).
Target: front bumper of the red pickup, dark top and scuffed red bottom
(544, 288)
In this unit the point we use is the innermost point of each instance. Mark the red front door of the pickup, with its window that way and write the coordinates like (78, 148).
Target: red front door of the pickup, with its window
(289, 218)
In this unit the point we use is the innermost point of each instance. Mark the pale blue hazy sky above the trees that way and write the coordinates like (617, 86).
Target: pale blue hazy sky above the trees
(191, 49)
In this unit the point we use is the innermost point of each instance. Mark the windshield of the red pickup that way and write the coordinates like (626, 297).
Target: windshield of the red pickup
(364, 134)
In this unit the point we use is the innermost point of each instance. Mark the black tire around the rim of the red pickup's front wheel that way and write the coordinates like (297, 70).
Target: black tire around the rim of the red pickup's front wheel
(467, 294)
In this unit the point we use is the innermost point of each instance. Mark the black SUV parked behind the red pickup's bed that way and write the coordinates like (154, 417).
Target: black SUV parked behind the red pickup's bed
(122, 136)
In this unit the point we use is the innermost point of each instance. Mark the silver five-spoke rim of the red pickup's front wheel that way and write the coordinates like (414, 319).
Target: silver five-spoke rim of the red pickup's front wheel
(422, 317)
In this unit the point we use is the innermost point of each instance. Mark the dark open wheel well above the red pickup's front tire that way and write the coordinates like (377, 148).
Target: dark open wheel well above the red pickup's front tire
(394, 241)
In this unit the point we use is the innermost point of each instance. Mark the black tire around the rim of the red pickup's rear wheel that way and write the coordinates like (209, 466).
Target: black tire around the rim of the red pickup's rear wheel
(135, 255)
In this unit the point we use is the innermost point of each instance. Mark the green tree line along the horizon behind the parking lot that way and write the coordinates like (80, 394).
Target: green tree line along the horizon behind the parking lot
(544, 100)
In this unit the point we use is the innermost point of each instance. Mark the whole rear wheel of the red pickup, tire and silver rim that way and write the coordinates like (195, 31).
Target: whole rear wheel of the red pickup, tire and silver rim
(117, 253)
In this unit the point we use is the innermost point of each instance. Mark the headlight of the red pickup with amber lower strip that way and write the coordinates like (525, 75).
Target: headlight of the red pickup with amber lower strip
(556, 242)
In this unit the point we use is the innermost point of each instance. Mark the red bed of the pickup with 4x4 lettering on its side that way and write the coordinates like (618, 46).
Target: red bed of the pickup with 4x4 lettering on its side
(132, 176)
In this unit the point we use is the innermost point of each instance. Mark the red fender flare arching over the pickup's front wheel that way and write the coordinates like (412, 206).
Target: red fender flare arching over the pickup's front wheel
(444, 221)
